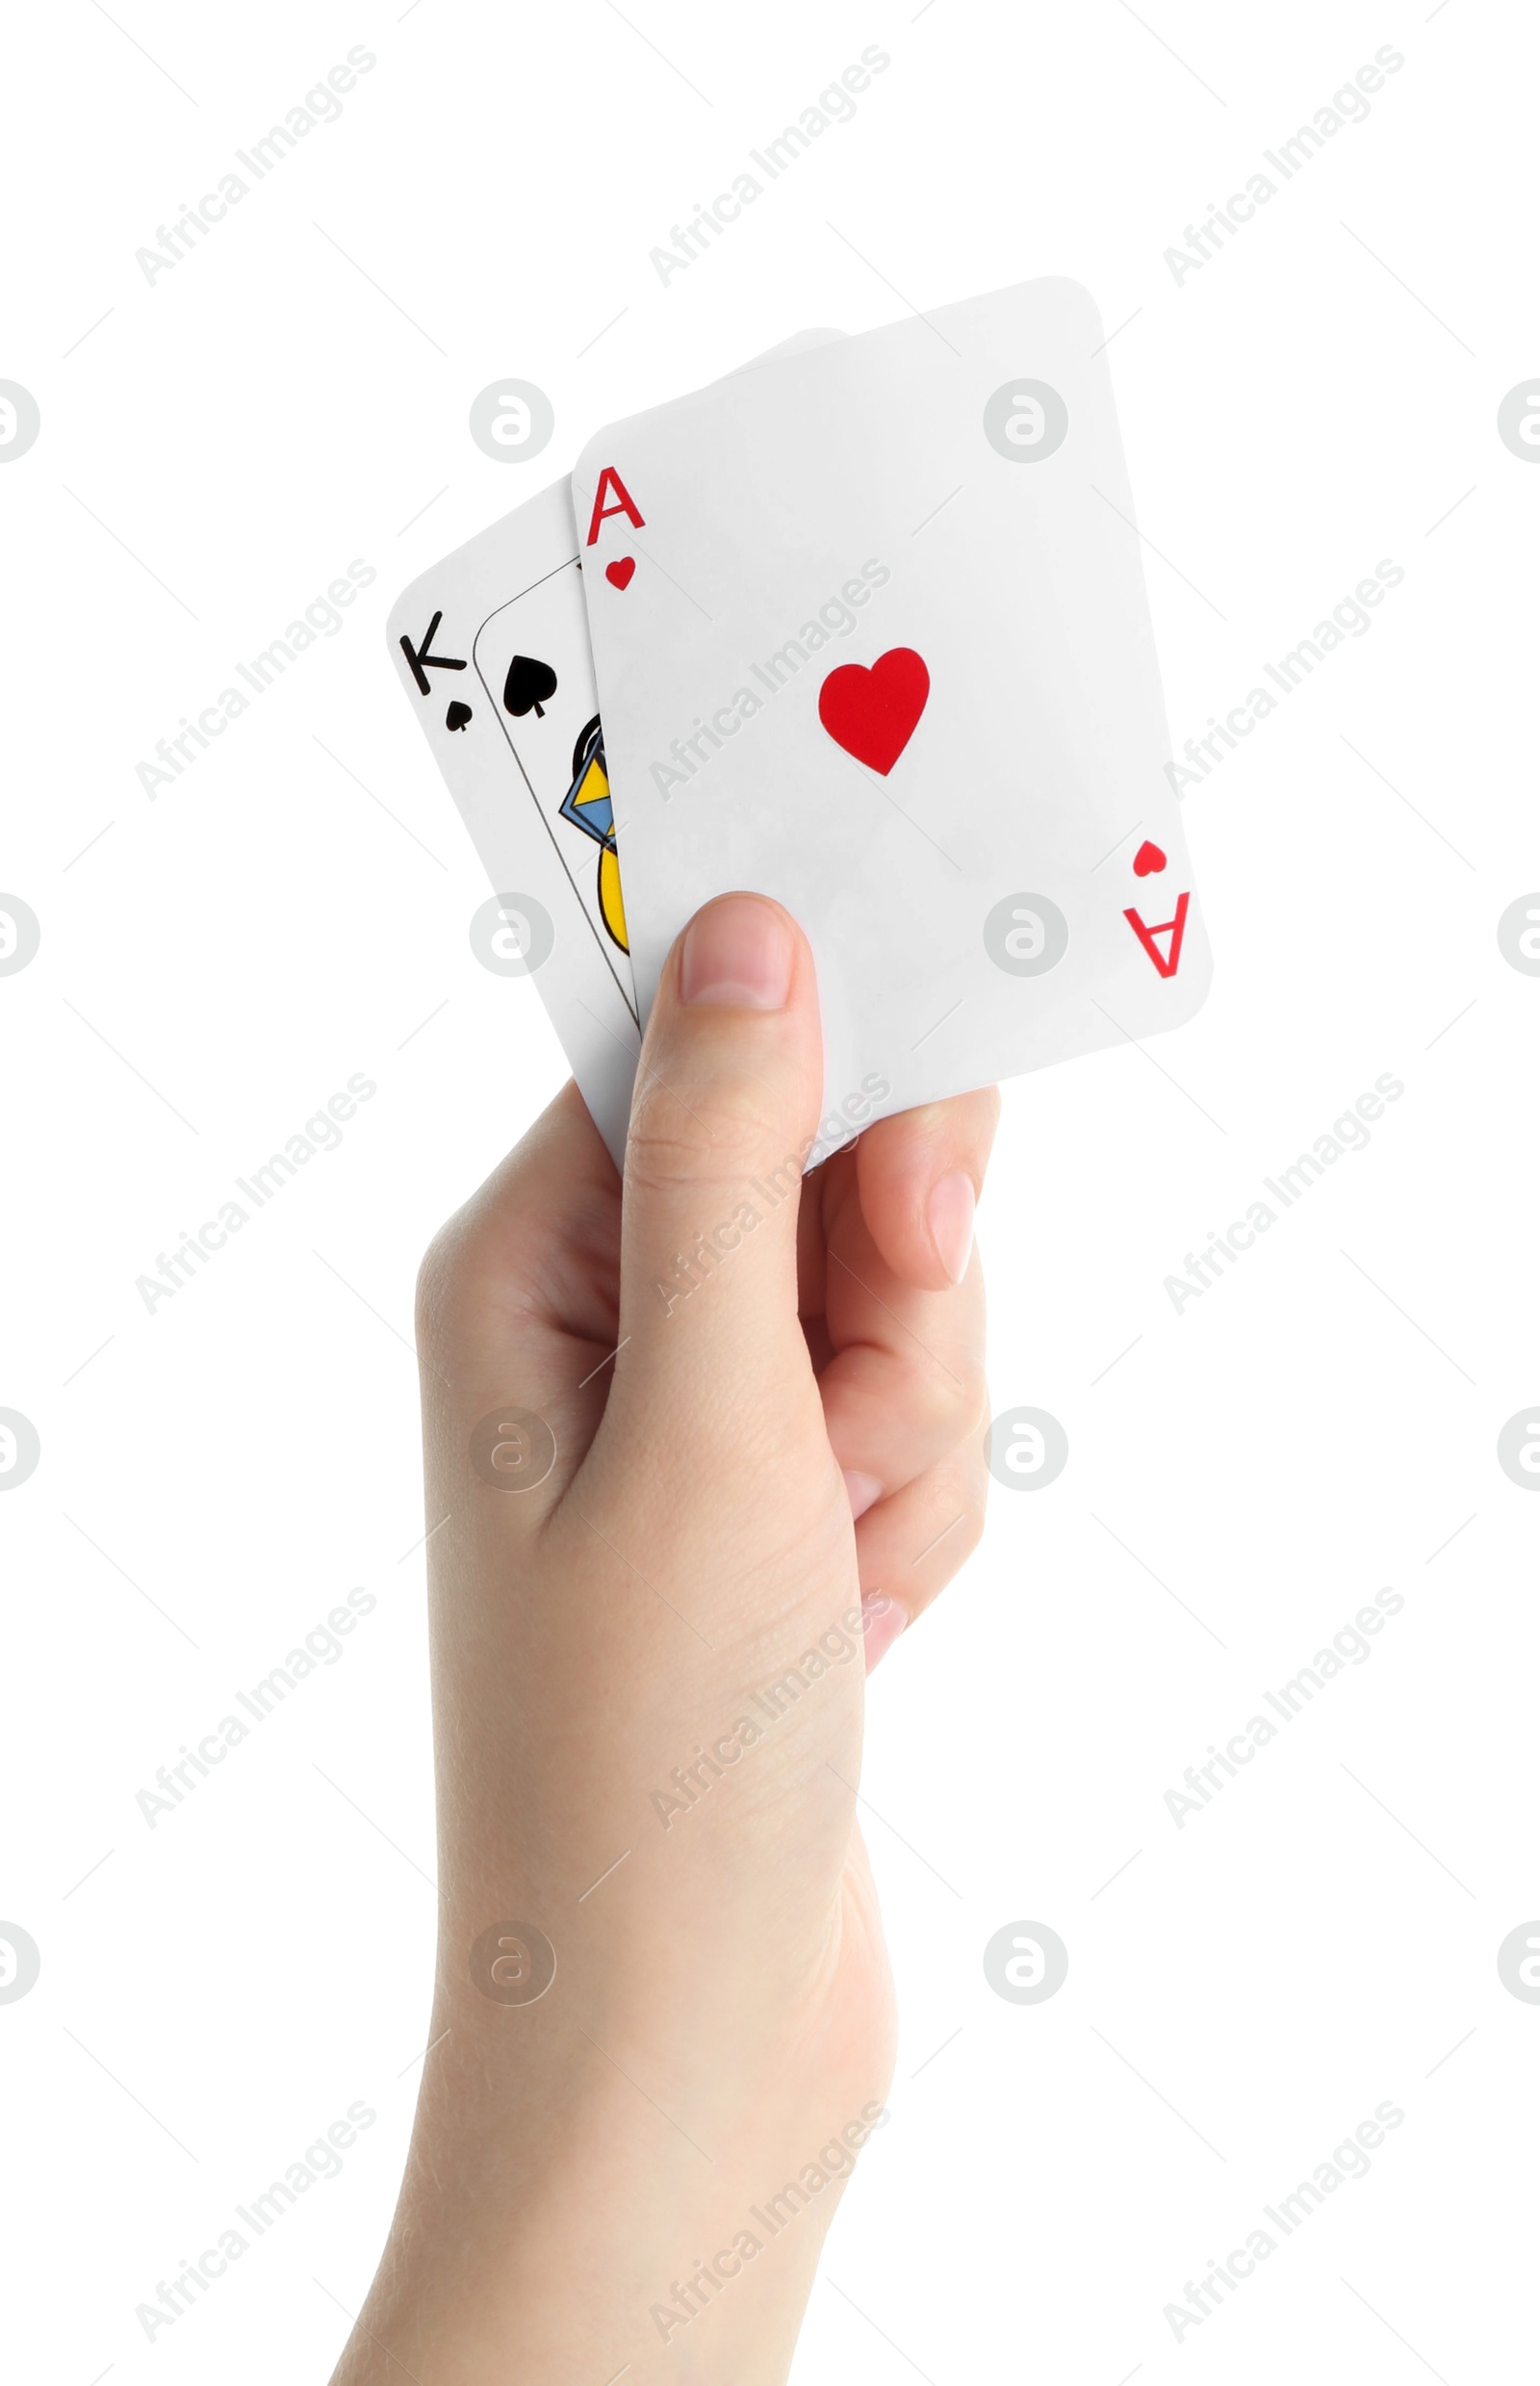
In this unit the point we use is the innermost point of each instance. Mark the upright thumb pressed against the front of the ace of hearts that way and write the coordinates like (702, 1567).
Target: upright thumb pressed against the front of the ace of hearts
(722, 1123)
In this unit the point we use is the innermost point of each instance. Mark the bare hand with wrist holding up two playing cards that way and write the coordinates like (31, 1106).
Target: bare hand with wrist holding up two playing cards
(701, 1452)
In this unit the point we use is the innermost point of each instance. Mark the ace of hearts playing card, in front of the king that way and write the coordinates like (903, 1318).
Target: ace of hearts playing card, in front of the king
(873, 638)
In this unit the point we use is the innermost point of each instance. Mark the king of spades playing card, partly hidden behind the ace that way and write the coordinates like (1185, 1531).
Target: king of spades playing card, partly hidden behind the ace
(493, 653)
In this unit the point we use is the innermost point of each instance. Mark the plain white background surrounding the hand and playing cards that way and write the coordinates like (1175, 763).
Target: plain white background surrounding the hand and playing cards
(1243, 1476)
